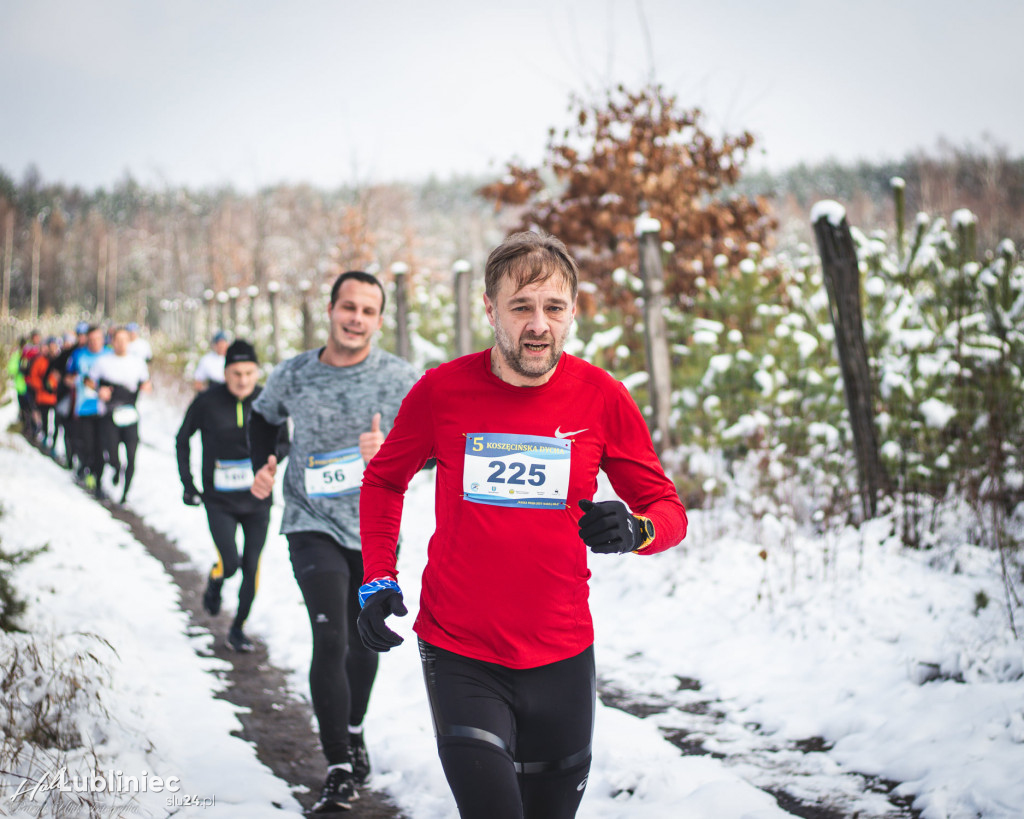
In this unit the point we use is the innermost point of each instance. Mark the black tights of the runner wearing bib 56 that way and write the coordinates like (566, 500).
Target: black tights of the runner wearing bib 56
(343, 671)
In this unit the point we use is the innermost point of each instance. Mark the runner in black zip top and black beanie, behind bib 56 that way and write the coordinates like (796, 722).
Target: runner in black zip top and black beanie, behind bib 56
(222, 416)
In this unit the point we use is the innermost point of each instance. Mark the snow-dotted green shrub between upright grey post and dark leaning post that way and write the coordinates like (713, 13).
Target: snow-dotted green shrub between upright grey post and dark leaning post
(757, 380)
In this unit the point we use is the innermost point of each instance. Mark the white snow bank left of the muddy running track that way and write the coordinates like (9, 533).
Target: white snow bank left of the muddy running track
(149, 704)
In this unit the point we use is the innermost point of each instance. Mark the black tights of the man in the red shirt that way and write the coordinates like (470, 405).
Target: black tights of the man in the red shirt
(516, 744)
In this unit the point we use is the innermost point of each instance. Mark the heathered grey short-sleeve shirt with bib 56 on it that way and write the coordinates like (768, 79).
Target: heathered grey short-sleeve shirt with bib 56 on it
(330, 407)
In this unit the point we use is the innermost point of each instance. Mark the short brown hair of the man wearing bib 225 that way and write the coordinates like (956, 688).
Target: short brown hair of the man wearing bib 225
(528, 258)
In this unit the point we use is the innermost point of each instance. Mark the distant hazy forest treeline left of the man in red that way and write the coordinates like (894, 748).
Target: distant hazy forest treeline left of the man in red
(118, 253)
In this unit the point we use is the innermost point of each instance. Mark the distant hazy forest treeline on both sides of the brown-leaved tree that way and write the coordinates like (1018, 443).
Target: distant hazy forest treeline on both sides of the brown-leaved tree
(119, 252)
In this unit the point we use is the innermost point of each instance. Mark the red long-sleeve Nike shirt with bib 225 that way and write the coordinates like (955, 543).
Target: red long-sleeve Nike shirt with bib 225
(508, 584)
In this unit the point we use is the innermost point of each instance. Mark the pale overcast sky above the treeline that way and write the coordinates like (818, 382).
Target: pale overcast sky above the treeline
(252, 93)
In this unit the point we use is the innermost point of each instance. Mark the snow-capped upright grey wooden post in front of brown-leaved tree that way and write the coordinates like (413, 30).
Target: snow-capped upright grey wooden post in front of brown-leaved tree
(656, 334)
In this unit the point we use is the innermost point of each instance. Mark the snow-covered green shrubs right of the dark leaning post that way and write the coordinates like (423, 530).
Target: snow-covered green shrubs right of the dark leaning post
(947, 349)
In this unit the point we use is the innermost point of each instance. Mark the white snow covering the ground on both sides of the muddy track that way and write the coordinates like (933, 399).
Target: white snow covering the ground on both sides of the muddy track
(882, 654)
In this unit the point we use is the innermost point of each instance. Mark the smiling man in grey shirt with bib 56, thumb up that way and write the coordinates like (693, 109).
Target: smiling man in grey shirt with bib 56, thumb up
(343, 400)
